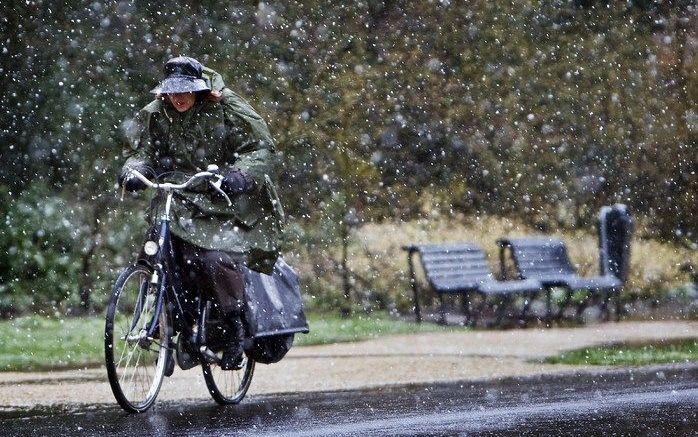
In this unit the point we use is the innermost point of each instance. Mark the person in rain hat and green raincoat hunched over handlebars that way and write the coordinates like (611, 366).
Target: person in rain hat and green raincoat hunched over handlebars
(193, 122)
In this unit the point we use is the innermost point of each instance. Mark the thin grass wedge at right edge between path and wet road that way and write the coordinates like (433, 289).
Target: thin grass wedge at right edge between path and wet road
(674, 352)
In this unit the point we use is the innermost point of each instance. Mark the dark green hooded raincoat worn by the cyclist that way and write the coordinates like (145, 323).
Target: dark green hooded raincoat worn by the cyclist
(230, 134)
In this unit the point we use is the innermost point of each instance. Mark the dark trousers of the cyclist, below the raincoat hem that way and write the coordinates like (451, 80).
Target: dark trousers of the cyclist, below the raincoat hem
(214, 273)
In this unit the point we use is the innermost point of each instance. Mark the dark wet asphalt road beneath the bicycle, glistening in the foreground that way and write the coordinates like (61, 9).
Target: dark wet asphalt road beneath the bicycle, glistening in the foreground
(658, 401)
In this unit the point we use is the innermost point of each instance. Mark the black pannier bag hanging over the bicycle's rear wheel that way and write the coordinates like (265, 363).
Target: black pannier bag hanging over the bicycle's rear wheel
(274, 312)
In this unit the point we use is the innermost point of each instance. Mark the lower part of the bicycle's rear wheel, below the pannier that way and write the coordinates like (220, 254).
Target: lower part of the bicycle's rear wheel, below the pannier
(228, 387)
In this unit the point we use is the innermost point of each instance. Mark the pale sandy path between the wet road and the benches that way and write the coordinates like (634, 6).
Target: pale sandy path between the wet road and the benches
(416, 358)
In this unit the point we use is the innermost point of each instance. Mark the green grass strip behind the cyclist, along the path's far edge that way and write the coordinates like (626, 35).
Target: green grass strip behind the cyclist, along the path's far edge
(38, 343)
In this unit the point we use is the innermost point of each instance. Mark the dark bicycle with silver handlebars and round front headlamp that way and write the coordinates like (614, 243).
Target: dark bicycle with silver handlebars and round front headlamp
(149, 308)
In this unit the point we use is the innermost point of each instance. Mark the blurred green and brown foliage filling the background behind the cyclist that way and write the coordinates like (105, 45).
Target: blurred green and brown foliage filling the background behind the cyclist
(540, 111)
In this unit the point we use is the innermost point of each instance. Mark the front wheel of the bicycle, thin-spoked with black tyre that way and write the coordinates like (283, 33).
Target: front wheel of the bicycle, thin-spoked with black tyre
(136, 363)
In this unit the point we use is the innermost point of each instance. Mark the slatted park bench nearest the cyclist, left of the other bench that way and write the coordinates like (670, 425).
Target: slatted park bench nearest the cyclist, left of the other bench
(462, 269)
